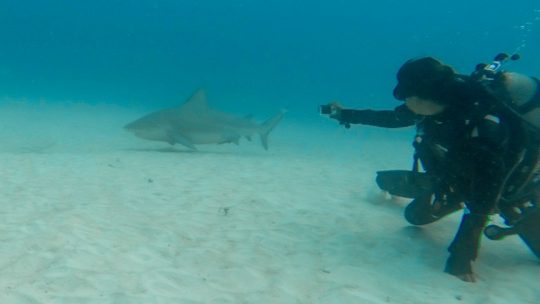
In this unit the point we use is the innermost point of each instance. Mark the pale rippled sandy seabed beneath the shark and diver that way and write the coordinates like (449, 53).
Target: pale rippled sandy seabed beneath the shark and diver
(90, 214)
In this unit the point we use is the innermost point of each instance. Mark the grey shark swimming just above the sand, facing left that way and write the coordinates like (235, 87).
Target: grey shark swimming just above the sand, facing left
(194, 123)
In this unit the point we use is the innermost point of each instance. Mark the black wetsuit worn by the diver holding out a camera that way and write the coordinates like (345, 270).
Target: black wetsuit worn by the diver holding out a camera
(468, 148)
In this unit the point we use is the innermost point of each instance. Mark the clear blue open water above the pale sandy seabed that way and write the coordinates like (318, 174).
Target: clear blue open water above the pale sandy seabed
(265, 54)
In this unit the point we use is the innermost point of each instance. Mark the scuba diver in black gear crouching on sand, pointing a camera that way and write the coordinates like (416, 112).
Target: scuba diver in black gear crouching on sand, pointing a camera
(477, 141)
